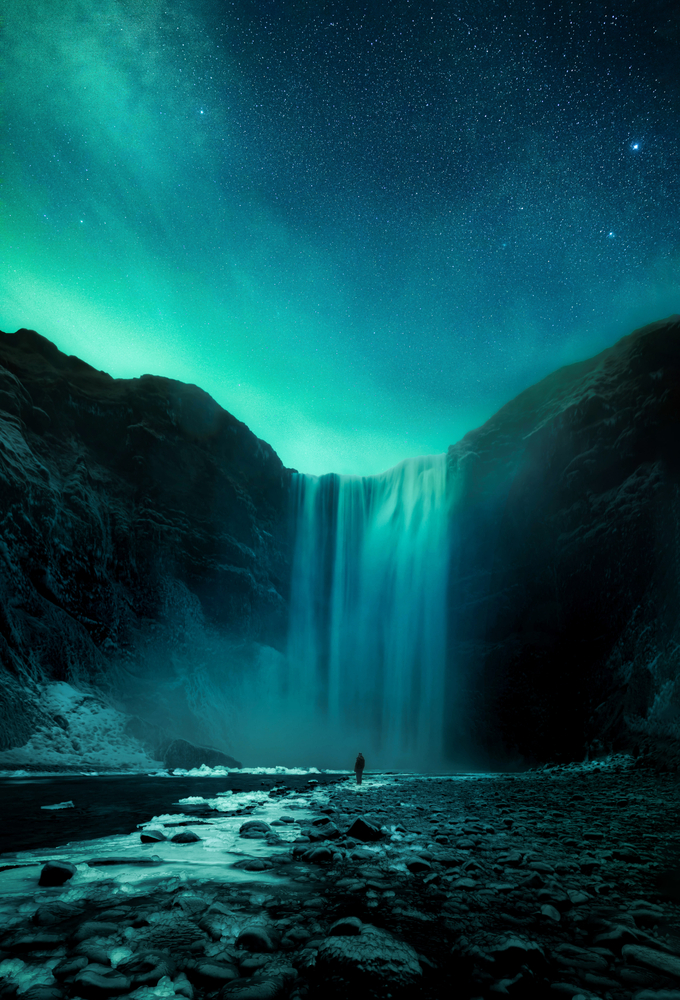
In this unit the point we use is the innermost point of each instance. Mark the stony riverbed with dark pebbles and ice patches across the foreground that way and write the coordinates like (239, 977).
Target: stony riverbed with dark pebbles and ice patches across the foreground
(552, 883)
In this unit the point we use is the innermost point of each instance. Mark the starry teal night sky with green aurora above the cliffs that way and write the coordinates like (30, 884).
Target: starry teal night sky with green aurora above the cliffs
(361, 227)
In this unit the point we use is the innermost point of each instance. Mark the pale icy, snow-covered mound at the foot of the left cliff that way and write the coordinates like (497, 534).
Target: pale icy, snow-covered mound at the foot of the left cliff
(86, 733)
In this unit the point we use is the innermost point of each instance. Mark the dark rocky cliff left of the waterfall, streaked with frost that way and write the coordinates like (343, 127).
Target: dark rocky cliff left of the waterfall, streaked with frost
(140, 525)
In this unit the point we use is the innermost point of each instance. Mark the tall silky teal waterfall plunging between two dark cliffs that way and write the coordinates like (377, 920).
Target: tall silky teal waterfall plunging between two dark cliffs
(367, 633)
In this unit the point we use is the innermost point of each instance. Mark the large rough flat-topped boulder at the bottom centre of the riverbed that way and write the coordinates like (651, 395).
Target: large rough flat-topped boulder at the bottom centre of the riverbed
(373, 953)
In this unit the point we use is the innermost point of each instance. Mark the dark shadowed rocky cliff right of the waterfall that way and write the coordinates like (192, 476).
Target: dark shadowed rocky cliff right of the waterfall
(565, 592)
